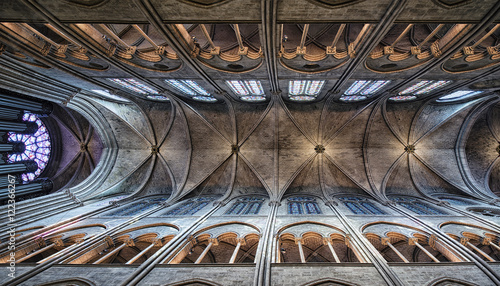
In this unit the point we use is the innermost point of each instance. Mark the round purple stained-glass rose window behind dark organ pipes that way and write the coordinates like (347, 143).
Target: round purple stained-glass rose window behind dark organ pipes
(37, 147)
